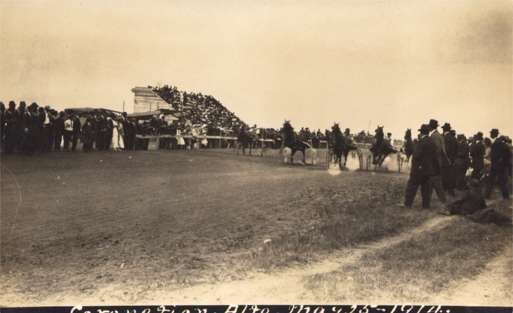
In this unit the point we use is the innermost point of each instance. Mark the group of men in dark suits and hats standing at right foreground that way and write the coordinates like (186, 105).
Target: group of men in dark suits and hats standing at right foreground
(441, 160)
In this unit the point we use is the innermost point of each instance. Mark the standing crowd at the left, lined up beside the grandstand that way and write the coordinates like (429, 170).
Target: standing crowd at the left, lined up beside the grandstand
(29, 129)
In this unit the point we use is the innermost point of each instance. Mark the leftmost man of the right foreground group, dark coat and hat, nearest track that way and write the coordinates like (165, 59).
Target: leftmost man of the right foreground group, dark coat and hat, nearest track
(424, 167)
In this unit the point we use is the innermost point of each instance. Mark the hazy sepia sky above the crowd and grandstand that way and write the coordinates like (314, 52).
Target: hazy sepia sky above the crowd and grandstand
(360, 63)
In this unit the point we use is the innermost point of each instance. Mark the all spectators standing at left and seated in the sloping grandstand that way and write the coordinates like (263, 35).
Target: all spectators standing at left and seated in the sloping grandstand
(34, 128)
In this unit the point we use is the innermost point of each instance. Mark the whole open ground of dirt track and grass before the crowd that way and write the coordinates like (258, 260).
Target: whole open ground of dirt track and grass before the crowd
(144, 226)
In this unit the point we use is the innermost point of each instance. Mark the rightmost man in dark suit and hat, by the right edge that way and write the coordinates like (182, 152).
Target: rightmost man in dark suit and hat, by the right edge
(501, 161)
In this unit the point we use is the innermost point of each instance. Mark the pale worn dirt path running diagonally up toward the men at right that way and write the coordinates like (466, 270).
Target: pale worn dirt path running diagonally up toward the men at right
(289, 286)
